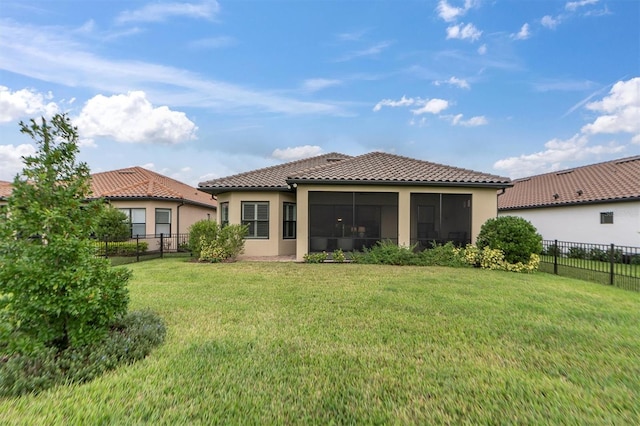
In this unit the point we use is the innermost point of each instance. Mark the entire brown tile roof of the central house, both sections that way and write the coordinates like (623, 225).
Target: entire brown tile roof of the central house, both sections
(372, 168)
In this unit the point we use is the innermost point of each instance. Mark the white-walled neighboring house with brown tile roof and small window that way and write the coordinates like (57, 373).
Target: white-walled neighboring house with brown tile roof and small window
(598, 203)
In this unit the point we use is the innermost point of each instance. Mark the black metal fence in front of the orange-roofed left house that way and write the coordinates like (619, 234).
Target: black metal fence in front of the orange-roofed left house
(144, 247)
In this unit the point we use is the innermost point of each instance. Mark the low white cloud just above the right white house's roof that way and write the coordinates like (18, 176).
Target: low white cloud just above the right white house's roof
(552, 158)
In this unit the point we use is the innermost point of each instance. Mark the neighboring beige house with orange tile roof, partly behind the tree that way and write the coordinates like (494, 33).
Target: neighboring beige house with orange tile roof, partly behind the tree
(155, 204)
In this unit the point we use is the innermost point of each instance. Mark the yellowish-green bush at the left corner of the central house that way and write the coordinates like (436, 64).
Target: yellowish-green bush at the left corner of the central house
(227, 244)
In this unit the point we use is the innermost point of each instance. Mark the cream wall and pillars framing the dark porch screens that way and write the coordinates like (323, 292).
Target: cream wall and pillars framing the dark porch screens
(484, 206)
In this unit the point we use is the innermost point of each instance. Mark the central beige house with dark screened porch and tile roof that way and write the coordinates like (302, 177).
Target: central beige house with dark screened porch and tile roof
(335, 201)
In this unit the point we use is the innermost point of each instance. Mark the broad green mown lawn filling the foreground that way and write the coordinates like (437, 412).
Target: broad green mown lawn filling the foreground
(264, 343)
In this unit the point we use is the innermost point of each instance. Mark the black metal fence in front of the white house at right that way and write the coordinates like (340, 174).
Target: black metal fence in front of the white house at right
(602, 263)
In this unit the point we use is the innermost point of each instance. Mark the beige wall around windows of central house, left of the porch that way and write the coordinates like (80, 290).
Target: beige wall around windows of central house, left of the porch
(275, 245)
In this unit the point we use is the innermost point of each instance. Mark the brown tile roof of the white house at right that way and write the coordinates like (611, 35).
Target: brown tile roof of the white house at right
(609, 181)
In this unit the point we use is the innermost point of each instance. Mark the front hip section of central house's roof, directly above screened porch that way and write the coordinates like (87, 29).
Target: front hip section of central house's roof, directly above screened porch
(380, 167)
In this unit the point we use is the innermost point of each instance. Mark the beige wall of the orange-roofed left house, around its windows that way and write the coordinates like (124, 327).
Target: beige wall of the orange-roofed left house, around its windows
(188, 214)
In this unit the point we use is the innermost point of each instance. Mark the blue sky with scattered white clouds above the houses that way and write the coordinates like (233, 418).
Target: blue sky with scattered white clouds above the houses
(202, 89)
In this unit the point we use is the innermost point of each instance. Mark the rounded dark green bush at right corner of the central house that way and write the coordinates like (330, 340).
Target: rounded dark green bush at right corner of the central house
(516, 237)
